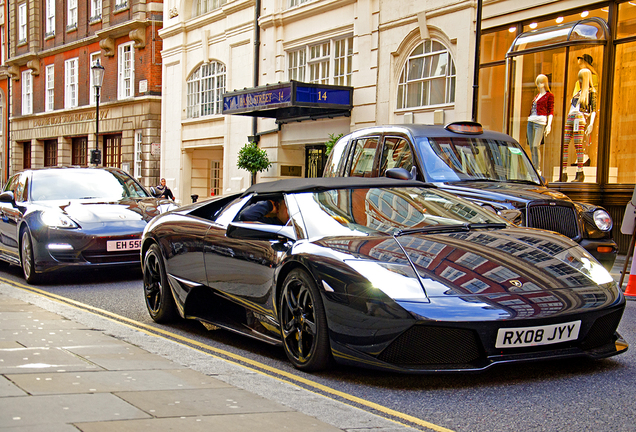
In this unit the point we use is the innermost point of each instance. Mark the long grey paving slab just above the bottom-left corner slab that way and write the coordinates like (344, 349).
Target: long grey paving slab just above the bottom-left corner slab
(113, 381)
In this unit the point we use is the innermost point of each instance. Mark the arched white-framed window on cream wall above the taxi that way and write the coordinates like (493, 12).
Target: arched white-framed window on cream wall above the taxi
(428, 77)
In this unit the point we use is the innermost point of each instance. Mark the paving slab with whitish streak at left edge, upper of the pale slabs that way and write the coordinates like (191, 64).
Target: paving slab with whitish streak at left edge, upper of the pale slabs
(41, 359)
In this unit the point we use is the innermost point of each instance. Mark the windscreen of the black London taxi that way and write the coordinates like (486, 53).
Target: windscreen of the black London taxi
(473, 159)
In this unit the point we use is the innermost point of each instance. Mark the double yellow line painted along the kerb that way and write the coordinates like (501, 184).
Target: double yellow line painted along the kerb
(236, 359)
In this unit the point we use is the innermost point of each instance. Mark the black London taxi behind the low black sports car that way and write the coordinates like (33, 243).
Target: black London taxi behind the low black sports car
(486, 167)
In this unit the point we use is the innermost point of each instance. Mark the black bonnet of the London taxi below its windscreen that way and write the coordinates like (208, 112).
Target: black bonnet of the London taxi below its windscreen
(502, 192)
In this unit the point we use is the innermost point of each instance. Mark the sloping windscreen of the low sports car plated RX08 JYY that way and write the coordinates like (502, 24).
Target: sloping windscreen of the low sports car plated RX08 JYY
(391, 211)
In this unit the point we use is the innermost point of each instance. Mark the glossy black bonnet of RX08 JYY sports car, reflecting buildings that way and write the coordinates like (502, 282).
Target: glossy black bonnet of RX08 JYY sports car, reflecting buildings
(490, 274)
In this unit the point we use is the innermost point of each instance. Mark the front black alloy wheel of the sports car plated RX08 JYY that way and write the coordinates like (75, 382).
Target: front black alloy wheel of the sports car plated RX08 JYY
(303, 323)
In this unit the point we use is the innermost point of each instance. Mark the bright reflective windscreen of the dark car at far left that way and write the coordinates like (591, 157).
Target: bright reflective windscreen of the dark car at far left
(72, 184)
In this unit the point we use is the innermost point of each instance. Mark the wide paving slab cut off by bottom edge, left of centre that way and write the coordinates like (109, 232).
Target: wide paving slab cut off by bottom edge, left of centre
(269, 422)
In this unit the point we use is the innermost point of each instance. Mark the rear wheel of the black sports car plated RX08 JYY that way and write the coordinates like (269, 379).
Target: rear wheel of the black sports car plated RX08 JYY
(159, 299)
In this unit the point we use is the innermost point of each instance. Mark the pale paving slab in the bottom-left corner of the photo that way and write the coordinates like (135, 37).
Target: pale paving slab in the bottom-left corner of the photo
(42, 410)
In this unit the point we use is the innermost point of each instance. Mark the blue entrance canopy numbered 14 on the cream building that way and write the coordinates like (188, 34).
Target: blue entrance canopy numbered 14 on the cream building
(290, 101)
